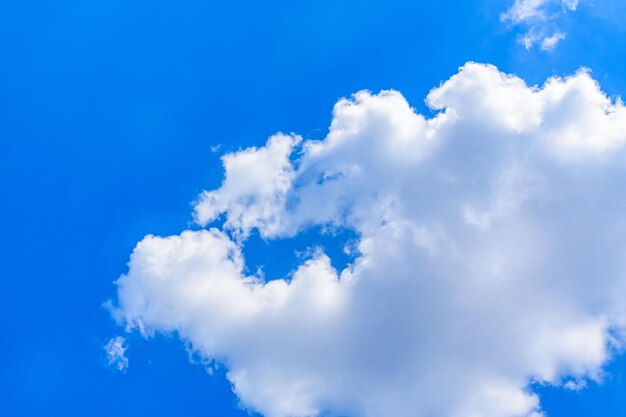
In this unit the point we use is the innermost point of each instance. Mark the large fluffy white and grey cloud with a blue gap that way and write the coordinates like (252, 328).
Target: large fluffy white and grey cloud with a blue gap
(491, 255)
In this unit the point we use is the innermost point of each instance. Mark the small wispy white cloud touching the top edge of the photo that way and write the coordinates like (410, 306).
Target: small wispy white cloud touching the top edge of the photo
(539, 18)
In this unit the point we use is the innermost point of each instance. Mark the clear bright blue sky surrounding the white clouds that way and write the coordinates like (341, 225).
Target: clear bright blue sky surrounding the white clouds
(109, 111)
